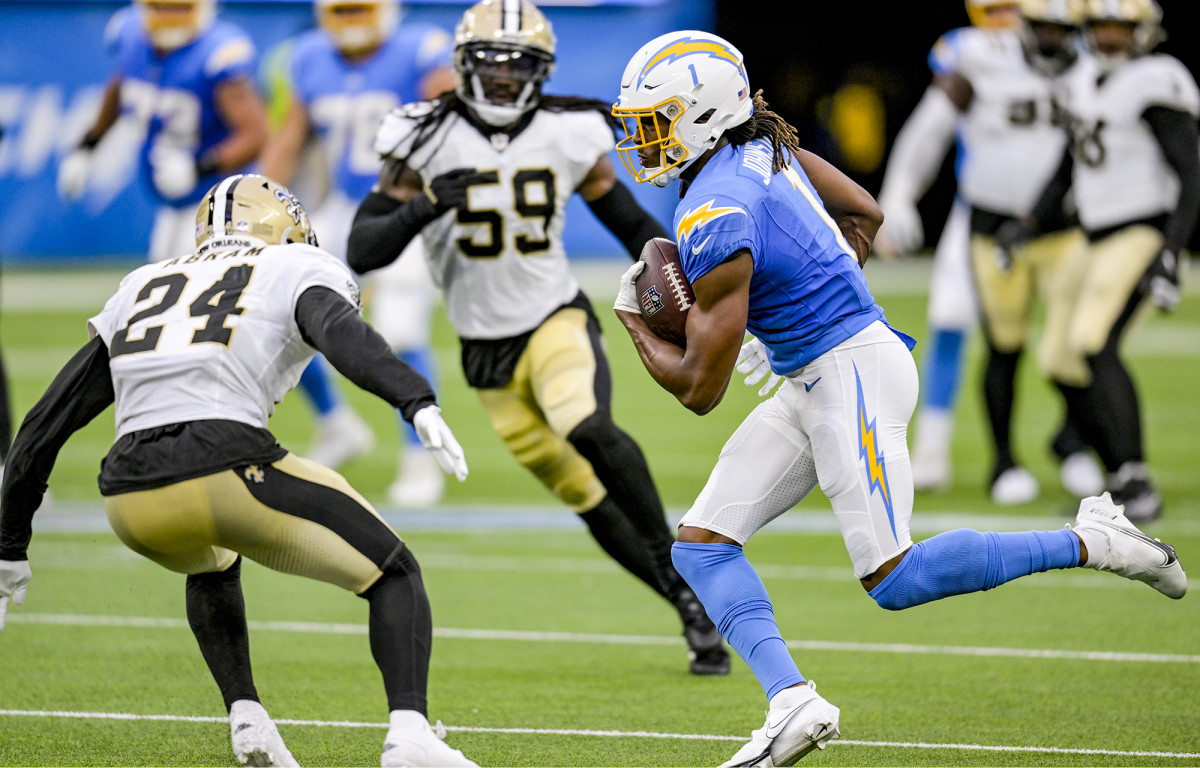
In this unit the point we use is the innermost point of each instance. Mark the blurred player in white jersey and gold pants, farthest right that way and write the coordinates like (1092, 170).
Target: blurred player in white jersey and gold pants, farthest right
(1135, 172)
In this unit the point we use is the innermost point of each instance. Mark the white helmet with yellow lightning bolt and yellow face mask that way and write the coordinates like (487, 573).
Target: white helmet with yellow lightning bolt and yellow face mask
(679, 95)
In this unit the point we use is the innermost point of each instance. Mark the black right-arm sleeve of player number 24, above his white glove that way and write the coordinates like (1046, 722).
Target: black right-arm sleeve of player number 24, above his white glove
(332, 326)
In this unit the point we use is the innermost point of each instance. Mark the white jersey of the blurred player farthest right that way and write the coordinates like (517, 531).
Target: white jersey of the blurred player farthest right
(1120, 173)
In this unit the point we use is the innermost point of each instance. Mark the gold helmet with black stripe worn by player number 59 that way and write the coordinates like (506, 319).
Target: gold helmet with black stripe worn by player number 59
(505, 51)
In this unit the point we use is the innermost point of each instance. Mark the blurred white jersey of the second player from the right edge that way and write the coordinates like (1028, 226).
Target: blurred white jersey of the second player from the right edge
(1011, 136)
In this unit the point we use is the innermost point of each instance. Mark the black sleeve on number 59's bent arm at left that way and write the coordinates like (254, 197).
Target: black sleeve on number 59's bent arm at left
(382, 227)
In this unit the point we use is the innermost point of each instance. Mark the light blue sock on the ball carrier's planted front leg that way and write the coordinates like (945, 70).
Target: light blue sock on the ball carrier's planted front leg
(737, 602)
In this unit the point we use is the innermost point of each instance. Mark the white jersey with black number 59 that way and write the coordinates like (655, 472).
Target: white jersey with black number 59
(501, 262)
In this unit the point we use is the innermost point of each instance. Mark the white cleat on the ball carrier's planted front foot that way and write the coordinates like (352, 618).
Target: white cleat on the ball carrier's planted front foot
(799, 723)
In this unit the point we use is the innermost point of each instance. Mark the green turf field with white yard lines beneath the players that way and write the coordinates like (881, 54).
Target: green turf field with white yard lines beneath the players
(549, 655)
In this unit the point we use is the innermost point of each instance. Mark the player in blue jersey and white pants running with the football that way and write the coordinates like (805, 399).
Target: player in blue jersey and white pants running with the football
(772, 239)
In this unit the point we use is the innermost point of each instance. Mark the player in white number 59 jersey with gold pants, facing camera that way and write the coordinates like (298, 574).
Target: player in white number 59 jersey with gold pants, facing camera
(483, 176)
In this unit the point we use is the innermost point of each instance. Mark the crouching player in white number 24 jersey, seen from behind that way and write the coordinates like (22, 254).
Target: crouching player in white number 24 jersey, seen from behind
(195, 352)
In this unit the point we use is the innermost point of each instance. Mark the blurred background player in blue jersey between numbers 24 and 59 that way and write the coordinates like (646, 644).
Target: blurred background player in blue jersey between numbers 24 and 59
(339, 81)
